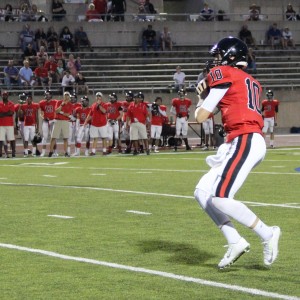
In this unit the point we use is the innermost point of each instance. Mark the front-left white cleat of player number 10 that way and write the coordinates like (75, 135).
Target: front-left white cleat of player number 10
(234, 252)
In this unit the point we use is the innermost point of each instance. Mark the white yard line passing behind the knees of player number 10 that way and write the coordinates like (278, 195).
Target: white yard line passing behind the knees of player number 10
(134, 192)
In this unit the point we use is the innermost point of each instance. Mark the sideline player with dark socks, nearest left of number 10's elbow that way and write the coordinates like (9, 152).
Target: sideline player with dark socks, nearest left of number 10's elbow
(181, 109)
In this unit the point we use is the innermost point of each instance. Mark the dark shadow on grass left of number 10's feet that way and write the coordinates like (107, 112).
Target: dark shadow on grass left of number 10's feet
(181, 253)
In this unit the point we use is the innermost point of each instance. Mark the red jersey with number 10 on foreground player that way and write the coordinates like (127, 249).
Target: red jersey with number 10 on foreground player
(240, 105)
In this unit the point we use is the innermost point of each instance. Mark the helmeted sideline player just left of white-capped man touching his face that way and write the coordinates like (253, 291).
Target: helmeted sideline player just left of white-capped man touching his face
(82, 132)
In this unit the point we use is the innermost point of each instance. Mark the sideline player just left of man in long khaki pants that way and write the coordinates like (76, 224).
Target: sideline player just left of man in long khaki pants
(47, 113)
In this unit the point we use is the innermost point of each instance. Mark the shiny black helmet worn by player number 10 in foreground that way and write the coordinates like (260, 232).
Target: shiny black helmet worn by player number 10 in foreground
(231, 51)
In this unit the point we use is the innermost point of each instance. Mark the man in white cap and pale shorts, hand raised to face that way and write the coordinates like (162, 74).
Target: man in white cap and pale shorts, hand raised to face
(98, 119)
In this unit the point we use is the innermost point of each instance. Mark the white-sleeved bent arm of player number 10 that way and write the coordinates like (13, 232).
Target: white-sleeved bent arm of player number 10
(205, 107)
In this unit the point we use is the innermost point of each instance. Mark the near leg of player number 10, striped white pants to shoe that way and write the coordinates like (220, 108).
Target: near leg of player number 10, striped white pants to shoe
(246, 152)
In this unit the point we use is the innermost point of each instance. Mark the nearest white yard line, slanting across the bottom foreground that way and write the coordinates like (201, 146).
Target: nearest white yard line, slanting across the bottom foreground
(200, 281)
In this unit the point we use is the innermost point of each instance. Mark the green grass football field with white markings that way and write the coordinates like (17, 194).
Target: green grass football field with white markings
(136, 231)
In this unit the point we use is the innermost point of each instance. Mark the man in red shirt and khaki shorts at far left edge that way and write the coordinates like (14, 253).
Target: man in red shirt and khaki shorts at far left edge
(7, 110)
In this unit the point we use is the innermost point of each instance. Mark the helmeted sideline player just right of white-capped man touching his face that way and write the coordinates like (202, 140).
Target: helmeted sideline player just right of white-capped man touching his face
(114, 116)
